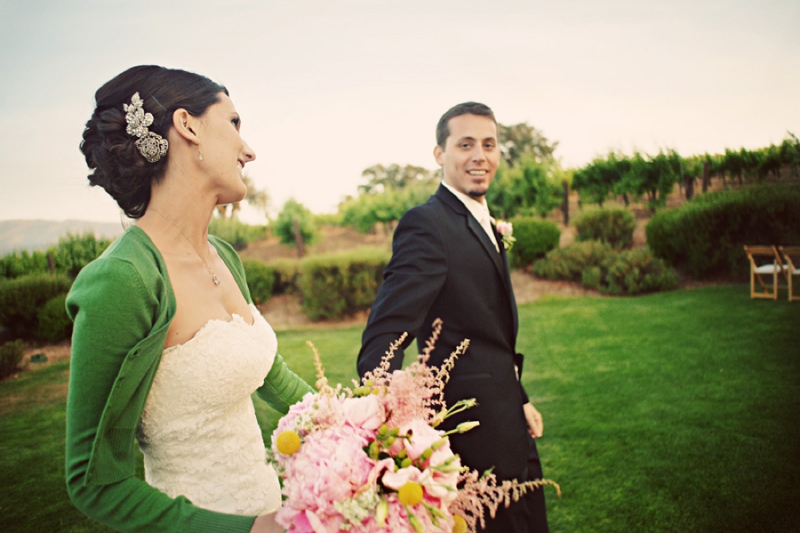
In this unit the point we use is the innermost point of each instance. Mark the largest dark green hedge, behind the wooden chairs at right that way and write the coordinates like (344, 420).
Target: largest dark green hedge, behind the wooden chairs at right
(705, 236)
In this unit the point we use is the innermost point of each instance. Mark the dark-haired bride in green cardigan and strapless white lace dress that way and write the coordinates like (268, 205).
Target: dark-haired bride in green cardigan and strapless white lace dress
(167, 346)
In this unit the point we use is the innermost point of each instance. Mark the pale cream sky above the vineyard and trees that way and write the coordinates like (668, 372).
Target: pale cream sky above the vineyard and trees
(329, 88)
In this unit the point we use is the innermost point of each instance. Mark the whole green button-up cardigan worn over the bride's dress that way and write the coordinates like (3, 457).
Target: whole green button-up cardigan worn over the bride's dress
(122, 305)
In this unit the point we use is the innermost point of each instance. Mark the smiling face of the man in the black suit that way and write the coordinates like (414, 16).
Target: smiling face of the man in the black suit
(470, 157)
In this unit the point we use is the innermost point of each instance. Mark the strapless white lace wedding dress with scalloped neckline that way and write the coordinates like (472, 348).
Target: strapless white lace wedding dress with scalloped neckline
(199, 432)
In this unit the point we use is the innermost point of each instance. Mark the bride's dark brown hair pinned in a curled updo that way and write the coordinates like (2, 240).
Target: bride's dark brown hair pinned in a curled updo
(117, 164)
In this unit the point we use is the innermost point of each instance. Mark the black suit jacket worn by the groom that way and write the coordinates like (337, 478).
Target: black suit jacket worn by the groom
(445, 266)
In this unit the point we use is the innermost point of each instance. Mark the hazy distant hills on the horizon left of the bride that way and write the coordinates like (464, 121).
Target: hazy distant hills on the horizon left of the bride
(40, 234)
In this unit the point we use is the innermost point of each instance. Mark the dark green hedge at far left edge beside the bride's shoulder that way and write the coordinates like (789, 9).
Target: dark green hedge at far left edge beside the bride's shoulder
(21, 299)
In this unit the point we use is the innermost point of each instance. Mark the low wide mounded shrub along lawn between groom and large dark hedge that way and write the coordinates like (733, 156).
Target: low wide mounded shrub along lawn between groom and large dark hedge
(598, 266)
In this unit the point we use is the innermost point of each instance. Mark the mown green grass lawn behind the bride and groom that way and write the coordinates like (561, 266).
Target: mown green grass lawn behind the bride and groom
(675, 412)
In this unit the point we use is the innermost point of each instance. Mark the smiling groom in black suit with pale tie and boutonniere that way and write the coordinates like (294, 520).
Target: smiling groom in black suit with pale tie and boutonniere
(449, 262)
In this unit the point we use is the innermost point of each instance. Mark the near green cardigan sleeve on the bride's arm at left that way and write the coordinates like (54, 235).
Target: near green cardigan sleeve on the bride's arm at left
(114, 311)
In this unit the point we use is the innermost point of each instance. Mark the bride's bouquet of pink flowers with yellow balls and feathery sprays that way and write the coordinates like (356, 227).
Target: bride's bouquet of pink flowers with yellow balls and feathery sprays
(371, 459)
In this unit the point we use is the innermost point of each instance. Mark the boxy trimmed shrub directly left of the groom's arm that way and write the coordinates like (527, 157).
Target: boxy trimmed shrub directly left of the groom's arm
(339, 285)
